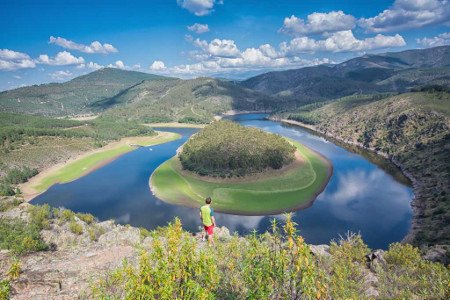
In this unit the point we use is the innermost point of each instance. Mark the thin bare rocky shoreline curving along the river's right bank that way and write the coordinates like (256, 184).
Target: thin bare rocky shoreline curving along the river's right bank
(416, 184)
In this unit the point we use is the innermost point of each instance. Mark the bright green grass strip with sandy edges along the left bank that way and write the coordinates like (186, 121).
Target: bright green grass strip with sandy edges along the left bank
(92, 161)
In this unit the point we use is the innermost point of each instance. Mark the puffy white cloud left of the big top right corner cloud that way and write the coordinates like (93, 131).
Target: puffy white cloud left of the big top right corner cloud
(318, 23)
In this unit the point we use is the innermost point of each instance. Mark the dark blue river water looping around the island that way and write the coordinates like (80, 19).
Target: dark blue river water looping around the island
(361, 196)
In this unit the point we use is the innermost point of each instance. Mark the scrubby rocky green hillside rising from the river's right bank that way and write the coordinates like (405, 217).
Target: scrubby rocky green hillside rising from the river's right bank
(413, 129)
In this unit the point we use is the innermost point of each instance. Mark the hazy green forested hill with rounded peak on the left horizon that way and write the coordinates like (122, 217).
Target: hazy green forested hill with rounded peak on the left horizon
(72, 97)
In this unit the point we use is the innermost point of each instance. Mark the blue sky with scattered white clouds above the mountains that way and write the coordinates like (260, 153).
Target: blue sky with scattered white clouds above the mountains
(55, 41)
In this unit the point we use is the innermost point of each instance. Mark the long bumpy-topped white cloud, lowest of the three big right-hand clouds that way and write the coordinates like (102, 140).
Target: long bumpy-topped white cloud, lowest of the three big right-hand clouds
(342, 41)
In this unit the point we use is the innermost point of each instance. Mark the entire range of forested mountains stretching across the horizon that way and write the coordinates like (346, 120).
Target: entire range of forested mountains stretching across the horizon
(136, 95)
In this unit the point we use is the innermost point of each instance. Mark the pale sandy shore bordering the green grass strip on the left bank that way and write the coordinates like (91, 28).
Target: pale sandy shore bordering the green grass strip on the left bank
(30, 189)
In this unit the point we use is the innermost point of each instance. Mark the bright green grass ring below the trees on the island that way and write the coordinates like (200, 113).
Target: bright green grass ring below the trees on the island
(296, 188)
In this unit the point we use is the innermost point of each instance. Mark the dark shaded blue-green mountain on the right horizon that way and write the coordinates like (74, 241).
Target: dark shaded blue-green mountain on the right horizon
(388, 72)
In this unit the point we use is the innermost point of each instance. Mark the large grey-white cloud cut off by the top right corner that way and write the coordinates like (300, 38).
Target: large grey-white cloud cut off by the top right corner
(408, 14)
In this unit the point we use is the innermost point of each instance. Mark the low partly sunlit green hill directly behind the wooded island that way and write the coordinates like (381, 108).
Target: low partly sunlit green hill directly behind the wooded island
(193, 101)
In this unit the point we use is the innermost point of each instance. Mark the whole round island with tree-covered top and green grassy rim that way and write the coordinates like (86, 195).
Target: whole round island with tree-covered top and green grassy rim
(245, 170)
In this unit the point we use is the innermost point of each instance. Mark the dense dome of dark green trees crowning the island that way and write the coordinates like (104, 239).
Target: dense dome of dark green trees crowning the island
(226, 149)
